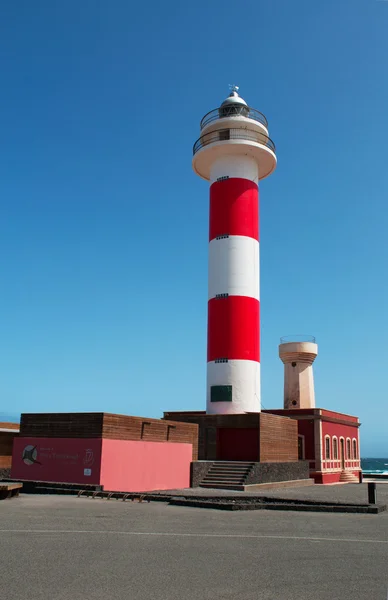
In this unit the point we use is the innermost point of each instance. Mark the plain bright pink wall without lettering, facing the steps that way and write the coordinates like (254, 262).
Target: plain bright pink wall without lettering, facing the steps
(136, 466)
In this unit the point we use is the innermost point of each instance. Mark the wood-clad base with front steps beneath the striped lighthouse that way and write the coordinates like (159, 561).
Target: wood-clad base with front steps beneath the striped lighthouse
(241, 450)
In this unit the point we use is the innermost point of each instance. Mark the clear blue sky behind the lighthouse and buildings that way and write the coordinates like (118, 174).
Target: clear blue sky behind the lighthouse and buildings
(103, 224)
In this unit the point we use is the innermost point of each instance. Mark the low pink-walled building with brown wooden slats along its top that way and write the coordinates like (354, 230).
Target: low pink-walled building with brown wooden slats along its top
(117, 452)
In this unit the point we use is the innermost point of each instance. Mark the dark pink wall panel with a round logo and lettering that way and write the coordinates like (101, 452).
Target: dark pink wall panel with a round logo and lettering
(62, 460)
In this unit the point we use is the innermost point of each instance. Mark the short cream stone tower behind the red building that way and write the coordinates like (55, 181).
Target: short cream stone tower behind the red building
(298, 356)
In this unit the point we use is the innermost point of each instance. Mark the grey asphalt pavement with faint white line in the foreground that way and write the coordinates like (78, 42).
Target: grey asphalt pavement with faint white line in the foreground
(67, 548)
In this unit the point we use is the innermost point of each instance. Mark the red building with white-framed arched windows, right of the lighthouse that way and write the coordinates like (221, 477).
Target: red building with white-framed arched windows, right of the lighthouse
(329, 441)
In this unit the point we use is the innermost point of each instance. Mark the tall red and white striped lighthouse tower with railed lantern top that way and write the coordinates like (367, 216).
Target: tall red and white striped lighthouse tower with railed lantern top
(234, 152)
